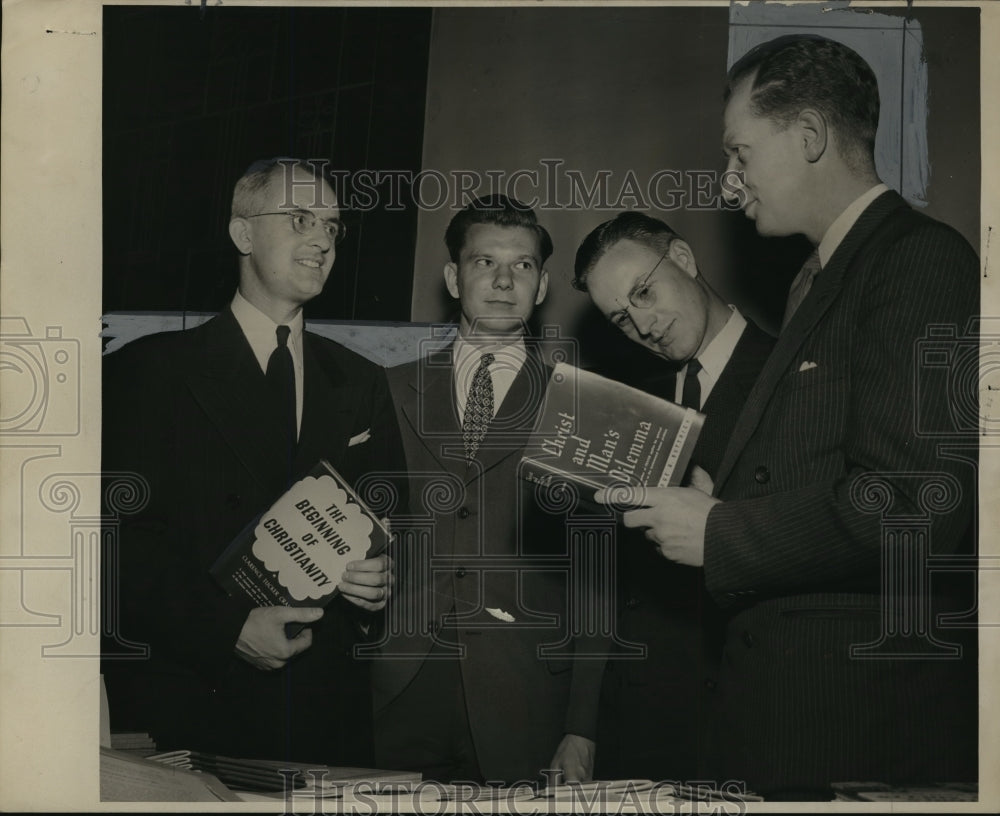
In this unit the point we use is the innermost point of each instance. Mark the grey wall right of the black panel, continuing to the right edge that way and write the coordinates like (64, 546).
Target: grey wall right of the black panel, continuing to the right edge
(627, 89)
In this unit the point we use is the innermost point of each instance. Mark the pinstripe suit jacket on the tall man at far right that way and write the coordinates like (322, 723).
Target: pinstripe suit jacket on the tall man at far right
(796, 549)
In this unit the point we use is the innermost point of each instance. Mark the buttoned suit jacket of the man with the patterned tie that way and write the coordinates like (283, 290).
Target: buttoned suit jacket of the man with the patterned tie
(483, 528)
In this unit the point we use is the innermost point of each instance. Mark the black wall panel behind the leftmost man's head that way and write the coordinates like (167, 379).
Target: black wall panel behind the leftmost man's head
(192, 97)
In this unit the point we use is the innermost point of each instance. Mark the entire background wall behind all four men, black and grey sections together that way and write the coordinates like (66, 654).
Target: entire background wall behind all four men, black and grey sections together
(192, 97)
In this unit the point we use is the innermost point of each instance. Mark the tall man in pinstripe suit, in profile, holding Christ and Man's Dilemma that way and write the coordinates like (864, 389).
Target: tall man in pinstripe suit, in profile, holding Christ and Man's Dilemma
(828, 674)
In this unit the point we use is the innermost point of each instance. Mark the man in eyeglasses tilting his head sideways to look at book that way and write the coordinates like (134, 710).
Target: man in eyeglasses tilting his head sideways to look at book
(645, 280)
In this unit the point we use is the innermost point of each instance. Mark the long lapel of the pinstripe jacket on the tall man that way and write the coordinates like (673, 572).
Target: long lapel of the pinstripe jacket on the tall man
(822, 295)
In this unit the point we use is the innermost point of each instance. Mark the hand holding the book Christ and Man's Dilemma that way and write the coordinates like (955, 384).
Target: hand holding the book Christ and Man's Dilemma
(674, 518)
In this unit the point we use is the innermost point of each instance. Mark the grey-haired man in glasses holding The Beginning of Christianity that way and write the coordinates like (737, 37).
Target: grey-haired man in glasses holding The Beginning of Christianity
(219, 420)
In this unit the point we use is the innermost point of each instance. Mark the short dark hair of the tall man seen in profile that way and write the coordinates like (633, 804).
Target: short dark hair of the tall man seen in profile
(808, 71)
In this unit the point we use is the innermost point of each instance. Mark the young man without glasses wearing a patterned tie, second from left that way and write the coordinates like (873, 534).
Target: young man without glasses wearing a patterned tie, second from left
(466, 692)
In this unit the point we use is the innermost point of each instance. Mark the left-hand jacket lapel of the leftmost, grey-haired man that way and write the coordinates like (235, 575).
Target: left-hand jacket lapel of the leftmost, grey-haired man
(227, 382)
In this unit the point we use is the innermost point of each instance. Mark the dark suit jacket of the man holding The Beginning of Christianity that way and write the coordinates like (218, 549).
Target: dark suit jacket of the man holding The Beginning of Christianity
(186, 411)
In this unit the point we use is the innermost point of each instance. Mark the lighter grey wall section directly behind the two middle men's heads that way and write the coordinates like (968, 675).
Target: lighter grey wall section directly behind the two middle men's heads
(613, 90)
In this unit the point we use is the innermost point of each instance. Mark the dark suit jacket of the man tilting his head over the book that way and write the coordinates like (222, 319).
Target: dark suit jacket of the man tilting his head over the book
(653, 710)
